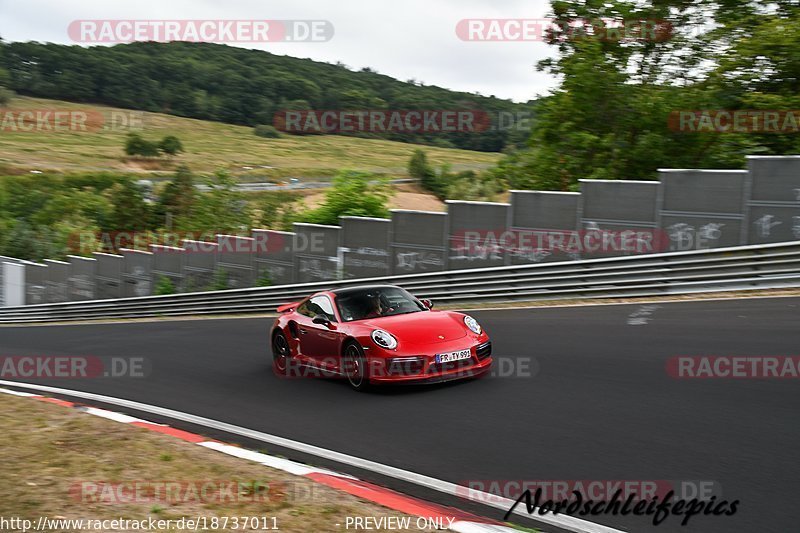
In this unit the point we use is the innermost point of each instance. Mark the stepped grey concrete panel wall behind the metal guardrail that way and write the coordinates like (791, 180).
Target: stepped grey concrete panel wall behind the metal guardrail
(685, 210)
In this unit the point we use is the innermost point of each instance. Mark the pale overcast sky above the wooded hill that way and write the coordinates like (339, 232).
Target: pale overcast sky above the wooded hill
(404, 39)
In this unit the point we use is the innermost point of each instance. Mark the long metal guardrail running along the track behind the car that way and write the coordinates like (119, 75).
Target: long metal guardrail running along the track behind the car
(745, 267)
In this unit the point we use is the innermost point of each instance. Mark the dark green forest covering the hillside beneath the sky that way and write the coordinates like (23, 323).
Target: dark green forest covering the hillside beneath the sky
(239, 86)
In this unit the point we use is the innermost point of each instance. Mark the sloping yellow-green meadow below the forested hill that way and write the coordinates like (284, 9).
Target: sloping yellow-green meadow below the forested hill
(209, 146)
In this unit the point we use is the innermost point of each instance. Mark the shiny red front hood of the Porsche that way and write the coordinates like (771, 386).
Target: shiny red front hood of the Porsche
(424, 327)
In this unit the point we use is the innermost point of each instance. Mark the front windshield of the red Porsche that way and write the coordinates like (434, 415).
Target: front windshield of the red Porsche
(376, 302)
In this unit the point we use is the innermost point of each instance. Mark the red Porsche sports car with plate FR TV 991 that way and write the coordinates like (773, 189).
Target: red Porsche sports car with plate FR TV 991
(377, 334)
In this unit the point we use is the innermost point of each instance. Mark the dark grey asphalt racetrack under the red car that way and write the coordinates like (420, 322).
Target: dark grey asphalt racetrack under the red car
(579, 393)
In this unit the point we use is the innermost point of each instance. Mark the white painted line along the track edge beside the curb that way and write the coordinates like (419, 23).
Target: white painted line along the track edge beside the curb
(569, 523)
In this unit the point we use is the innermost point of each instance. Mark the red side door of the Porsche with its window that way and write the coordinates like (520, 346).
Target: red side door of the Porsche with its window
(319, 341)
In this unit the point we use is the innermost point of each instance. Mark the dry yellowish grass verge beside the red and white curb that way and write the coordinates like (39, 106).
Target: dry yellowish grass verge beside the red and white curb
(51, 454)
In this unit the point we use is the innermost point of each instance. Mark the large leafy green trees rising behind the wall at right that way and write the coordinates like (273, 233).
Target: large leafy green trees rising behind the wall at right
(609, 116)
